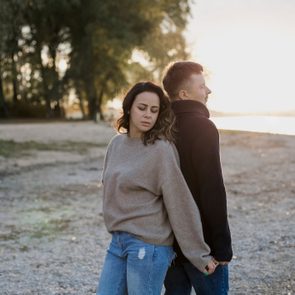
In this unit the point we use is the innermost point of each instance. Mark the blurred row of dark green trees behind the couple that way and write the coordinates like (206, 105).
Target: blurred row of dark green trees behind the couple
(90, 48)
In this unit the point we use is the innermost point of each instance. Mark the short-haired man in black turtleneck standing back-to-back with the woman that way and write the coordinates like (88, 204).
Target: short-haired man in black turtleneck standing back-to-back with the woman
(198, 147)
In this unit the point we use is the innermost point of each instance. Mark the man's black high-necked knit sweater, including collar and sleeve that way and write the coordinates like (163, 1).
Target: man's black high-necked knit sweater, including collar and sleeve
(197, 142)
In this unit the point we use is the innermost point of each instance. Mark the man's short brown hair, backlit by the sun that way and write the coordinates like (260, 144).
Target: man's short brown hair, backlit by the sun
(176, 74)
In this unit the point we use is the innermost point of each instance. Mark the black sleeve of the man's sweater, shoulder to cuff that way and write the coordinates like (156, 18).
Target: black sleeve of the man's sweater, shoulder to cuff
(211, 197)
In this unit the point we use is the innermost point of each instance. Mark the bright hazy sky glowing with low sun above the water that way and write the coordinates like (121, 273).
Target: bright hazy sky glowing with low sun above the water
(248, 50)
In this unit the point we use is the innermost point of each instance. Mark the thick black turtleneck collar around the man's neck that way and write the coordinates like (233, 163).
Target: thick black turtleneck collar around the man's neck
(190, 106)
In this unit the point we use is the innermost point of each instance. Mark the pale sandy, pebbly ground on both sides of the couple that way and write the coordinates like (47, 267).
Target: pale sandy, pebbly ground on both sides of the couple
(52, 235)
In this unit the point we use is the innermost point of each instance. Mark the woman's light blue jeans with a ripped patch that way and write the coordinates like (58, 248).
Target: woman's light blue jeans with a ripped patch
(134, 267)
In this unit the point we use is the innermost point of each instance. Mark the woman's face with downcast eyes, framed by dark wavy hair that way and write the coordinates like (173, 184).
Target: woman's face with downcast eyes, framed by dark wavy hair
(144, 113)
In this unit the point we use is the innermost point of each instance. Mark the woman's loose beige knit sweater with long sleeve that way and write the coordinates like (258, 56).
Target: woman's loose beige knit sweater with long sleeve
(146, 195)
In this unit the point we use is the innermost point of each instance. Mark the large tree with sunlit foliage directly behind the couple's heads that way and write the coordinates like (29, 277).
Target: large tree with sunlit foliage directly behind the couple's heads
(111, 30)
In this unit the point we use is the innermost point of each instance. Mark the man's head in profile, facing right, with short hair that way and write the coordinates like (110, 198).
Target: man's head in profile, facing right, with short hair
(184, 80)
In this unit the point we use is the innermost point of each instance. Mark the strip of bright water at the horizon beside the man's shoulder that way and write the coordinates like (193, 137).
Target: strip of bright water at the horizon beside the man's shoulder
(265, 124)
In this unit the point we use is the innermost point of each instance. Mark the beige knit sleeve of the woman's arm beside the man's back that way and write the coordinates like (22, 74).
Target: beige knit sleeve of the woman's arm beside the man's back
(183, 213)
